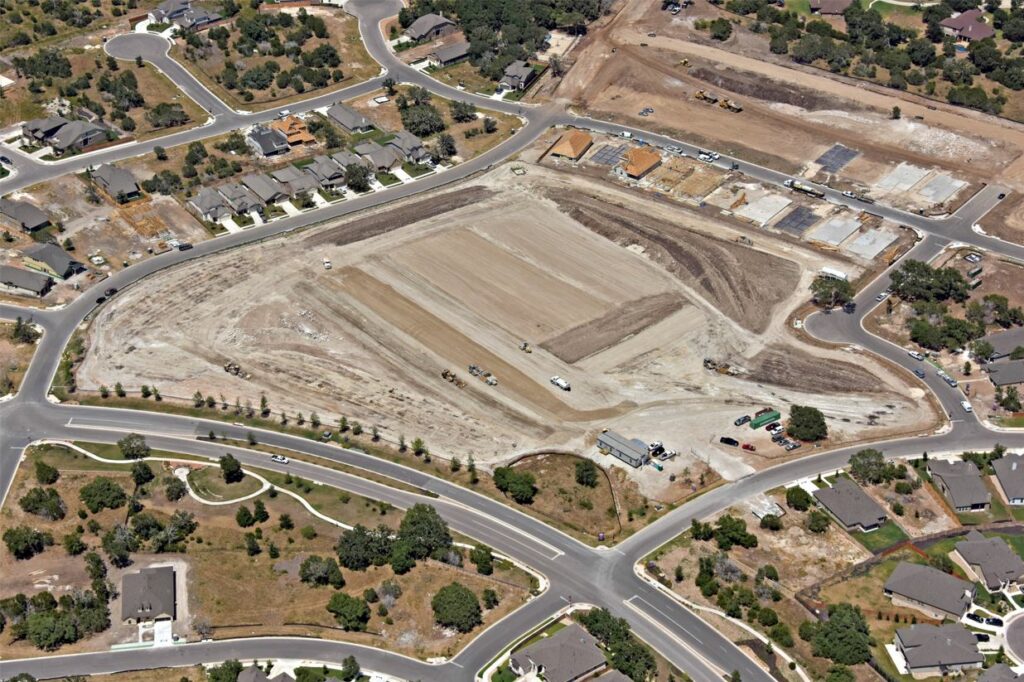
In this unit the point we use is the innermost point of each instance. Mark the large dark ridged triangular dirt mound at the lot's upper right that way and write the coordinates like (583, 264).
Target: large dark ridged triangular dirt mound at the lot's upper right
(744, 284)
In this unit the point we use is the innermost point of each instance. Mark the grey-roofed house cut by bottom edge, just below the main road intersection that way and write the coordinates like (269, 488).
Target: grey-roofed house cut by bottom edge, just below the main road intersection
(570, 655)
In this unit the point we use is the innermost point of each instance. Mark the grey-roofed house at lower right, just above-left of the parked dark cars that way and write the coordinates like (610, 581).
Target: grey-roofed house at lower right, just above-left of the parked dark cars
(932, 592)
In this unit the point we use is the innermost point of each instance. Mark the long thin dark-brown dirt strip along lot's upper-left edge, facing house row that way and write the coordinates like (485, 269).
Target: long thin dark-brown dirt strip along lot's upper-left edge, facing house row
(372, 226)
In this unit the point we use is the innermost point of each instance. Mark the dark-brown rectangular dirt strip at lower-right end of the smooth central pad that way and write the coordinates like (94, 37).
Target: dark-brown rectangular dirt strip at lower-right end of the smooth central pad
(612, 328)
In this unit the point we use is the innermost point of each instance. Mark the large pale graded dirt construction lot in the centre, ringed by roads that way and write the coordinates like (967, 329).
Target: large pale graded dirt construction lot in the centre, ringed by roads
(622, 296)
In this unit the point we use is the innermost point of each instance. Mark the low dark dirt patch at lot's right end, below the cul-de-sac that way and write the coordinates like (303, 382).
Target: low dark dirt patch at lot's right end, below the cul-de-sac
(782, 367)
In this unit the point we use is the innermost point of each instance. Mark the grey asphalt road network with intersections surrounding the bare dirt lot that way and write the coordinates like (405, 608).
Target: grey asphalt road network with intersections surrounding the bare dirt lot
(576, 572)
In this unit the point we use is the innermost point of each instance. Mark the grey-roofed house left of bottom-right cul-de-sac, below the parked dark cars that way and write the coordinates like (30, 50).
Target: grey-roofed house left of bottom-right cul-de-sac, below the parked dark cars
(938, 651)
